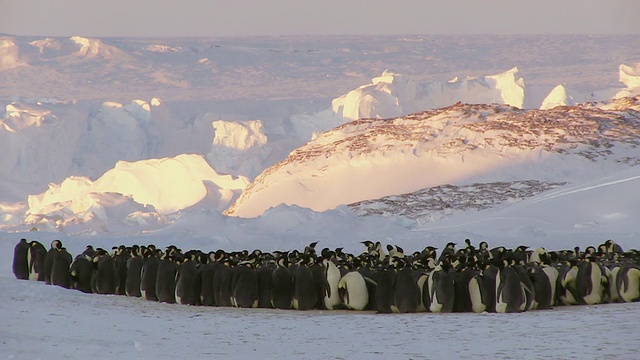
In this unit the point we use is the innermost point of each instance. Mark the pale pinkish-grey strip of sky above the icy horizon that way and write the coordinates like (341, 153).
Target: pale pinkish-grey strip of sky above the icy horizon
(318, 17)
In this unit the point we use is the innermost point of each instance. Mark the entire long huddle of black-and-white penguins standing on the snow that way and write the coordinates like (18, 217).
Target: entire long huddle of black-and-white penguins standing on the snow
(458, 280)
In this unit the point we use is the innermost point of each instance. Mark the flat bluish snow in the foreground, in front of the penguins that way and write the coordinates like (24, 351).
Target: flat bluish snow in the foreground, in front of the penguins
(46, 322)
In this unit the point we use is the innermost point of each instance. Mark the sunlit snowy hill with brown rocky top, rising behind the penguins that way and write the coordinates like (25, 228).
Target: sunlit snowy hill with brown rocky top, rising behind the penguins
(462, 144)
